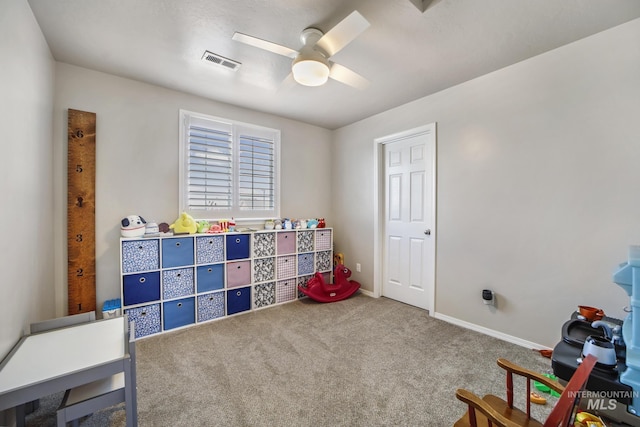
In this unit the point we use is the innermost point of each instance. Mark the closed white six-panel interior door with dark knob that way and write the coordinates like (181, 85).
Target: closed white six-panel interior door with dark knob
(408, 250)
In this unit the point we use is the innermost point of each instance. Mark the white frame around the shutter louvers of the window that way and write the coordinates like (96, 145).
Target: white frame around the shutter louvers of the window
(237, 129)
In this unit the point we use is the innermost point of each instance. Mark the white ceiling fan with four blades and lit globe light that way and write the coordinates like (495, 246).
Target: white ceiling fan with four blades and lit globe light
(311, 65)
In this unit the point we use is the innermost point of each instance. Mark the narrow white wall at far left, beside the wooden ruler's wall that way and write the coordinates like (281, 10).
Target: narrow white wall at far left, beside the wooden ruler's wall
(26, 100)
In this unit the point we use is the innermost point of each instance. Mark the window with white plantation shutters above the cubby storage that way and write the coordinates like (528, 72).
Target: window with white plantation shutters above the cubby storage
(228, 169)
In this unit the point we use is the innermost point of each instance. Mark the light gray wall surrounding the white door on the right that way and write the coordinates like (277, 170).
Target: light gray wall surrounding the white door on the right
(537, 185)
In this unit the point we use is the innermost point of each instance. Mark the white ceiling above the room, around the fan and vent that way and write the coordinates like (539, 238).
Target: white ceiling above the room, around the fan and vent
(406, 54)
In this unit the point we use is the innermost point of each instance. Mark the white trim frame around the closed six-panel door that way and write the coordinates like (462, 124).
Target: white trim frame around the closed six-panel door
(379, 206)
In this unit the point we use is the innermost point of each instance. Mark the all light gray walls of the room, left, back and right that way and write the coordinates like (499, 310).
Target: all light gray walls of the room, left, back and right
(536, 173)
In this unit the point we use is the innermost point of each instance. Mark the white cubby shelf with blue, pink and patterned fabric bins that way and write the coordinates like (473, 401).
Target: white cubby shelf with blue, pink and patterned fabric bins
(172, 282)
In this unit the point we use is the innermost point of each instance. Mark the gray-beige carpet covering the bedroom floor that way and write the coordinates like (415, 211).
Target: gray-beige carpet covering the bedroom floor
(358, 362)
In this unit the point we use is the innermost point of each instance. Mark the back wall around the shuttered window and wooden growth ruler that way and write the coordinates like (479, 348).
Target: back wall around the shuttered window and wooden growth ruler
(137, 161)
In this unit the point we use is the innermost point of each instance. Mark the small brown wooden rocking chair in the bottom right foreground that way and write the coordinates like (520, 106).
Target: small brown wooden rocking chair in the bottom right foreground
(493, 411)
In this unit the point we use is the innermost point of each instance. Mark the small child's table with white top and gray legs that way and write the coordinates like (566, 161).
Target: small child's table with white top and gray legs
(56, 360)
